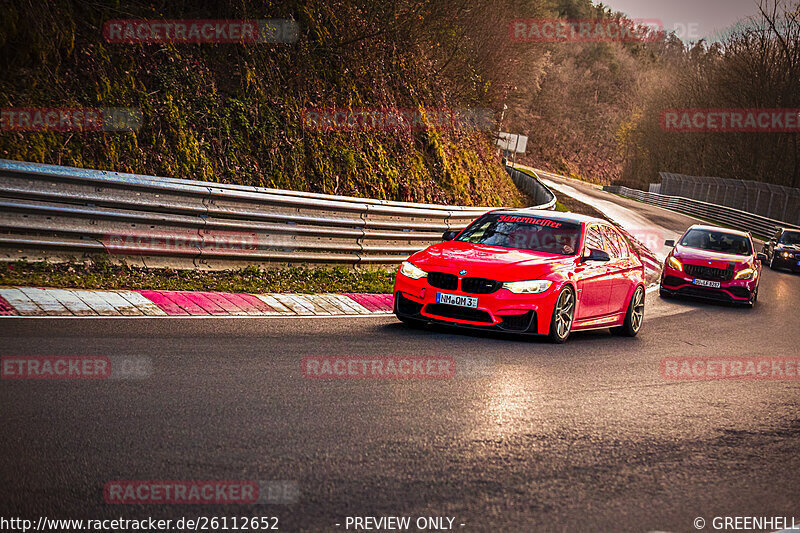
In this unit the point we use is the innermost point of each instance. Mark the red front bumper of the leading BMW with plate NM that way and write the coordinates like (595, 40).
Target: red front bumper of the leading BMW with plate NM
(501, 310)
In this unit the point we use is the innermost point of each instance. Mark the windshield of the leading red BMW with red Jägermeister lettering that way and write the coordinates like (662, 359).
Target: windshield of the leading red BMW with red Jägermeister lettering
(524, 233)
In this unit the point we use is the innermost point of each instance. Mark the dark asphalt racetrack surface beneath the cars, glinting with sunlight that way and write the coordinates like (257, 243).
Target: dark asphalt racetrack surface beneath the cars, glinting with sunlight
(585, 436)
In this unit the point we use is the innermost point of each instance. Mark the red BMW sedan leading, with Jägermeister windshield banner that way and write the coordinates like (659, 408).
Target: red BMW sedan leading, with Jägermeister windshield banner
(526, 271)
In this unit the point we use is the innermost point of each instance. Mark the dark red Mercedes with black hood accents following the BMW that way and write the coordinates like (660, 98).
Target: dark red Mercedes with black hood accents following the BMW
(714, 264)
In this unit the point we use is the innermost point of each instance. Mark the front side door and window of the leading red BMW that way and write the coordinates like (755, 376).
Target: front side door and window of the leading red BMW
(592, 279)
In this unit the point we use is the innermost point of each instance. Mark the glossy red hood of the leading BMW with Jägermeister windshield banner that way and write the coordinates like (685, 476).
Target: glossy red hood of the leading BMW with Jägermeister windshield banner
(485, 261)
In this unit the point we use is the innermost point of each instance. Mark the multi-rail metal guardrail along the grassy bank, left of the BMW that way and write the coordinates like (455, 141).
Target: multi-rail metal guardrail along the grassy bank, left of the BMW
(58, 213)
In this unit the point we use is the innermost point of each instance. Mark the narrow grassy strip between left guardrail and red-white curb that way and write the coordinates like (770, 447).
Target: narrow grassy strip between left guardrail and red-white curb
(101, 275)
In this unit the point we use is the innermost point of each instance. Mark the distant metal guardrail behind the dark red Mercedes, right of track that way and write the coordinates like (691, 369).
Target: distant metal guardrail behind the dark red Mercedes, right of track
(721, 214)
